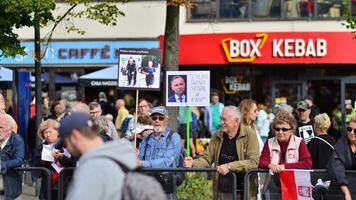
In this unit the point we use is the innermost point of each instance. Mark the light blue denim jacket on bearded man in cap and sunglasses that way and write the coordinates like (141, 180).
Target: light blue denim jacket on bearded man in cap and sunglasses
(158, 153)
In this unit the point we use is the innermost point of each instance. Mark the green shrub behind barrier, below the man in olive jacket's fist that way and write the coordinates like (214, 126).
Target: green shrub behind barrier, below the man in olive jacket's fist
(195, 186)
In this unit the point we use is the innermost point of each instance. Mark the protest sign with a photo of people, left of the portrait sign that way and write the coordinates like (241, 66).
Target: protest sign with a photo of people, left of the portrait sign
(139, 69)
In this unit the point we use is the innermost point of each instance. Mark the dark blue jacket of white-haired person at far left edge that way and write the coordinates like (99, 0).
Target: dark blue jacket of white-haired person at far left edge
(12, 156)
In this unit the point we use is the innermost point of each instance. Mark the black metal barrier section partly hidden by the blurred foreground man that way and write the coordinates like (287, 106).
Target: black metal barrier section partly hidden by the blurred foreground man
(68, 172)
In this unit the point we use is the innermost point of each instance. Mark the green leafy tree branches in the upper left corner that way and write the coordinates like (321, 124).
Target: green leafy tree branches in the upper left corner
(27, 13)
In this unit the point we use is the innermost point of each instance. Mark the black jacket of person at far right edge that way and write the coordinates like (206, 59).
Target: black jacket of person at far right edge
(342, 159)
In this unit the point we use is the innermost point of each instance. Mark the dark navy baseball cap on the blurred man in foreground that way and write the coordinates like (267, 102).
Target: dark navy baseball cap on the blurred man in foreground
(74, 120)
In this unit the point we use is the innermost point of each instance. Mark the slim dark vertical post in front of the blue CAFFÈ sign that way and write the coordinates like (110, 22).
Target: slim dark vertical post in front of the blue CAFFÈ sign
(38, 86)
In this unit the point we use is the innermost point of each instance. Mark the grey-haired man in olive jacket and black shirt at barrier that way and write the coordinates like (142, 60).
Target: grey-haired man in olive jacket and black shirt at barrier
(231, 150)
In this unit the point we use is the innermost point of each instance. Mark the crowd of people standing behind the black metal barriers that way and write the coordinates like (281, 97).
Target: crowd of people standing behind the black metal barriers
(287, 137)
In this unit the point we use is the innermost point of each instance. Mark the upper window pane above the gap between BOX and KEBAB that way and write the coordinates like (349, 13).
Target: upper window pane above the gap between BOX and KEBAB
(266, 8)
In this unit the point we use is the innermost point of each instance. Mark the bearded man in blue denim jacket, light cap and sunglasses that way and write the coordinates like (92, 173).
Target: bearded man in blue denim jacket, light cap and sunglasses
(155, 151)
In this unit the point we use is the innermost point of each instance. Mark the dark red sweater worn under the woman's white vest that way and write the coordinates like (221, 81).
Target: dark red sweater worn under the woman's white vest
(305, 161)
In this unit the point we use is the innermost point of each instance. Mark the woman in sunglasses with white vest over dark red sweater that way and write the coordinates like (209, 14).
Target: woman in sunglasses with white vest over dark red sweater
(285, 150)
